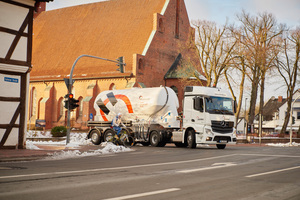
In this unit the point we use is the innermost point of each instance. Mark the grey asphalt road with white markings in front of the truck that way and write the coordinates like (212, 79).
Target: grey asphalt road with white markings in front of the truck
(237, 172)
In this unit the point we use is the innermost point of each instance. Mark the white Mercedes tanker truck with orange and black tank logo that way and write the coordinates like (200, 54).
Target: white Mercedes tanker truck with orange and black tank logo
(151, 117)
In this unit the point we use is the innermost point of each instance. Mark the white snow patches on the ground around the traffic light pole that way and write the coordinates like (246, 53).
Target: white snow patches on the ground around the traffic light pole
(76, 140)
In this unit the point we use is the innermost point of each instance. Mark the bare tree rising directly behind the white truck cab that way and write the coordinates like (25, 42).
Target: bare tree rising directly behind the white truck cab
(214, 45)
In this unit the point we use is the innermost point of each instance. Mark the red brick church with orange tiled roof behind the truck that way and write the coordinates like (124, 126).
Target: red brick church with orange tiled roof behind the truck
(152, 35)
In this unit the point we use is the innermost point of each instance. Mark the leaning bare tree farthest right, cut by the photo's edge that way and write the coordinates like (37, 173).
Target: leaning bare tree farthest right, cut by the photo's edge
(288, 67)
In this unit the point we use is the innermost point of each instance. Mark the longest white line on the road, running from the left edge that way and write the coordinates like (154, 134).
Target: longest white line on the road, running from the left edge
(115, 168)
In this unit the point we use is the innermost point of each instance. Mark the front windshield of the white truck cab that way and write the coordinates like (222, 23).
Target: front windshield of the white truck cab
(219, 105)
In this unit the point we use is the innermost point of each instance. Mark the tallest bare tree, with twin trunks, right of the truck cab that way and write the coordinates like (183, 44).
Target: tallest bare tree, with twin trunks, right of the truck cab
(257, 35)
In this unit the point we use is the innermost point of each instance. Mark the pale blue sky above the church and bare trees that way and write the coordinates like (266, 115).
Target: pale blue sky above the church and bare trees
(285, 11)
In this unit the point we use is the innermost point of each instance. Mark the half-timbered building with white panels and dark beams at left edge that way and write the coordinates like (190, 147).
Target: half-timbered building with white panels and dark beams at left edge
(16, 22)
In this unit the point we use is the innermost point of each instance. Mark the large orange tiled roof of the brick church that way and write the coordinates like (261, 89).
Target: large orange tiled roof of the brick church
(108, 29)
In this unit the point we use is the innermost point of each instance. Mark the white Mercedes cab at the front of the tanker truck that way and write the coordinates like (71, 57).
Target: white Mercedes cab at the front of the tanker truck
(209, 112)
